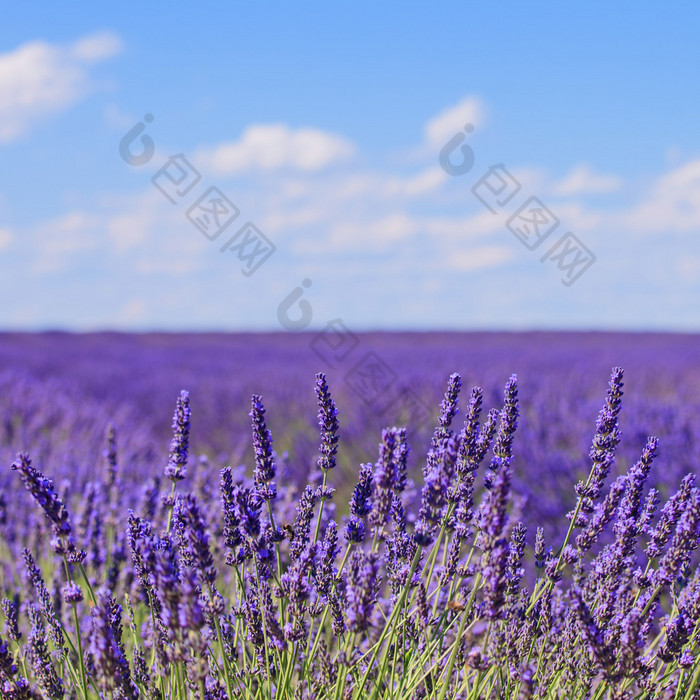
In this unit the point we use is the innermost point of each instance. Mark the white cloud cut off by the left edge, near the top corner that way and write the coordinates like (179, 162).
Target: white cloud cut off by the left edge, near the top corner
(40, 79)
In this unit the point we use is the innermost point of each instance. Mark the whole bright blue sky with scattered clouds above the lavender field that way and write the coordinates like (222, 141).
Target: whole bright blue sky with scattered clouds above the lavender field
(323, 124)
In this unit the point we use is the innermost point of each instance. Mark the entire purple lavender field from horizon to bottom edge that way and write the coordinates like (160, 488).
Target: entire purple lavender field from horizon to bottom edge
(459, 516)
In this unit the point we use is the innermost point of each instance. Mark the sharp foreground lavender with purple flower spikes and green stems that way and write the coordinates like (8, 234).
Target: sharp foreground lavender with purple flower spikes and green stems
(269, 589)
